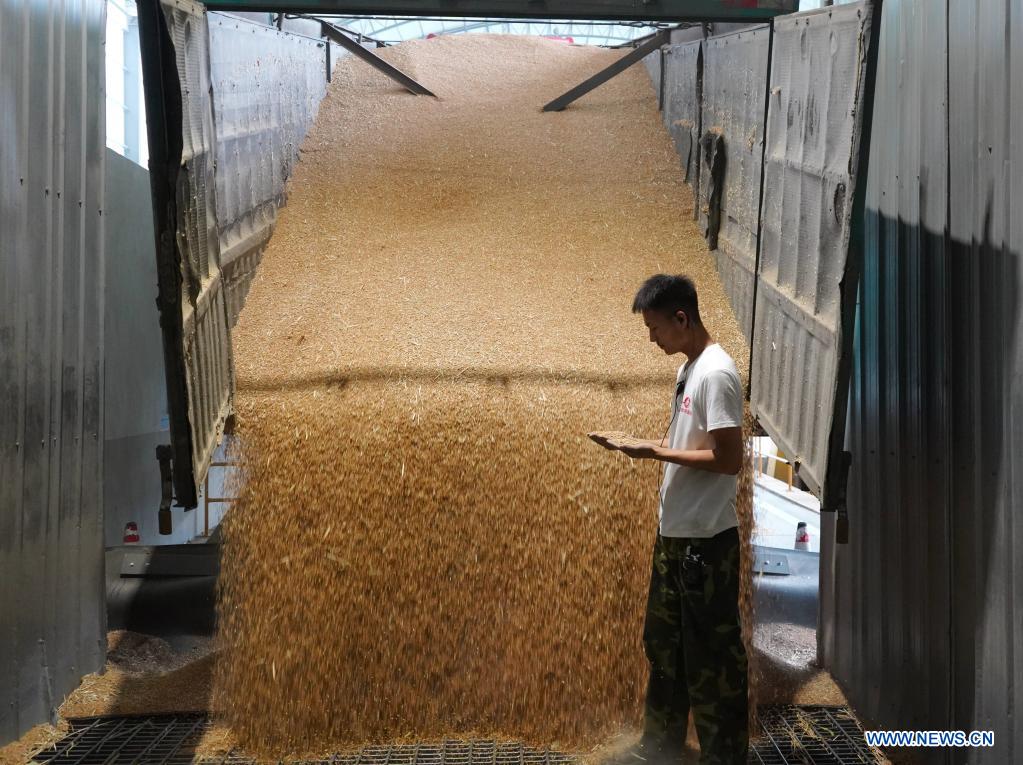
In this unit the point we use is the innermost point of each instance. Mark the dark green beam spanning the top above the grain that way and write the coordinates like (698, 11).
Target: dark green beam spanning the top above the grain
(646, 11)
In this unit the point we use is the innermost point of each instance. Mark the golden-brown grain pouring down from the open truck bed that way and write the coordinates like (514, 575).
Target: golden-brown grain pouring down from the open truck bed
(426, 544)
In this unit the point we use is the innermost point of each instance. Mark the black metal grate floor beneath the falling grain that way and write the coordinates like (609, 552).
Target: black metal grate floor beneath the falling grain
(790, 736)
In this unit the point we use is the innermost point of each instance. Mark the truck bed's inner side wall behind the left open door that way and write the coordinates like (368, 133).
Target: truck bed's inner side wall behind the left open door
(268, 86)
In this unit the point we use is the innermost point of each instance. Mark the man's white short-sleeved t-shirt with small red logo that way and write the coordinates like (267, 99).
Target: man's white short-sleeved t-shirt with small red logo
(694, 503)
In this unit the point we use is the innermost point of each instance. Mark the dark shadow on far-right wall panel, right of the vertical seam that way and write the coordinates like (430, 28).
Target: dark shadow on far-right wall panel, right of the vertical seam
(986, 403)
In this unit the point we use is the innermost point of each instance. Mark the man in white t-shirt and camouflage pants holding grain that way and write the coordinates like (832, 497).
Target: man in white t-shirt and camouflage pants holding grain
(693, 635)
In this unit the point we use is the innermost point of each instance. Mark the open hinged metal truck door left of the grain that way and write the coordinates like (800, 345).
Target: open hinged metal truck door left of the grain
(192, 297)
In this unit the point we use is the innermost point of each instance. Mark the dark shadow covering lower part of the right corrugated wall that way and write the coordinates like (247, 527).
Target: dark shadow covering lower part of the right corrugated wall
(932, 423)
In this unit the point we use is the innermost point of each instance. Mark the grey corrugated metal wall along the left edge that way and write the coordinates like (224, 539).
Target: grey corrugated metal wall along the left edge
(52, 342)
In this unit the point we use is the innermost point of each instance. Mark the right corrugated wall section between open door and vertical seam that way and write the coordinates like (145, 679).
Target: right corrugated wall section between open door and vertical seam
(884, 599)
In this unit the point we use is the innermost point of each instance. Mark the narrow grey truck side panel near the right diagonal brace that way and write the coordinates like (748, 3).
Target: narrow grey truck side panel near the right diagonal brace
(683, 98)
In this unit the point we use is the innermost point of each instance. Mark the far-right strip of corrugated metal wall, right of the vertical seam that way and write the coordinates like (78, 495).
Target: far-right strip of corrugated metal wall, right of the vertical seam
(985, 323)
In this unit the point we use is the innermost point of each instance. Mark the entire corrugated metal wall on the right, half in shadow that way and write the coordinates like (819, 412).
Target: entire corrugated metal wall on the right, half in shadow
(921, 615)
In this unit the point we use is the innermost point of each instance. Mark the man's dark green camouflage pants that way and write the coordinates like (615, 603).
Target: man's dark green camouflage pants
(695, 647)
